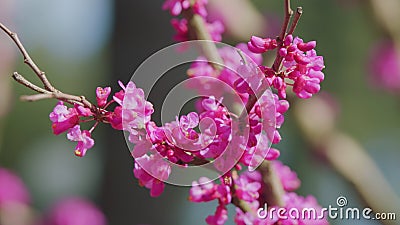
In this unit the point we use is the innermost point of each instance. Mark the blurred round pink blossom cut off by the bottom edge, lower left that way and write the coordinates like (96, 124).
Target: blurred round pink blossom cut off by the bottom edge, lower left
(75, 211)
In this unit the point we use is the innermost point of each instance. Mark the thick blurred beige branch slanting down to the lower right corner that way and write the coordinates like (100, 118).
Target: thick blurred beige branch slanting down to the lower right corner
(345, 155)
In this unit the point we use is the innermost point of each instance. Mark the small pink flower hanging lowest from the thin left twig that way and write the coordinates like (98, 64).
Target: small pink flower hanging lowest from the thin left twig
(83, 138)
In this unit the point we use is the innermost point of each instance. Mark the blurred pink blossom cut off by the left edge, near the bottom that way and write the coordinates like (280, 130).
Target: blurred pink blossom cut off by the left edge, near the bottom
(12, 188)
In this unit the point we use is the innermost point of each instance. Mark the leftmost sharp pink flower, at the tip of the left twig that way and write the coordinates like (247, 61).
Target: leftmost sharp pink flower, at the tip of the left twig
(63, 118)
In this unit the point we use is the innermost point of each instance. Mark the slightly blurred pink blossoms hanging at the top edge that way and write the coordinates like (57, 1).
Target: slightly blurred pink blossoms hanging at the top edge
(182, 27)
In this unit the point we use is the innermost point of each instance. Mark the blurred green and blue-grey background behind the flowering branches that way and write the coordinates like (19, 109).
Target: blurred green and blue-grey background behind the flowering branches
(85, 44)
